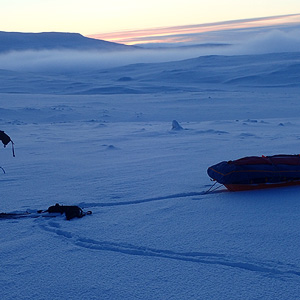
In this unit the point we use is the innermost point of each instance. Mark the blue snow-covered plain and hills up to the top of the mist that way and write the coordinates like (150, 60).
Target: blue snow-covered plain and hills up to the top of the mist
(94, 129)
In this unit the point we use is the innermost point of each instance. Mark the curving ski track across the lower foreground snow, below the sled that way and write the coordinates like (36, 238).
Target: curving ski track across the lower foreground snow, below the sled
(272, 268)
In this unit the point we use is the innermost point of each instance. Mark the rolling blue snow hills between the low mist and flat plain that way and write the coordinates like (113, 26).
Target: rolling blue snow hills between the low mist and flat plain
(193, 75)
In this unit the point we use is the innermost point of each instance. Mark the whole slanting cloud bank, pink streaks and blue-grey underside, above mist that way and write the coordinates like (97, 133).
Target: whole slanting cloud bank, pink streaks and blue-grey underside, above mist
(202, 33)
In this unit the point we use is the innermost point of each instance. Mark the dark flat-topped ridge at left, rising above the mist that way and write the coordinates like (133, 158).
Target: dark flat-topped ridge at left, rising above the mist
(17, 41)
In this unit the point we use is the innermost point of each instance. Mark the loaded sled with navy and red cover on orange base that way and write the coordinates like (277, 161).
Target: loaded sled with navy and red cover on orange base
(256, 172)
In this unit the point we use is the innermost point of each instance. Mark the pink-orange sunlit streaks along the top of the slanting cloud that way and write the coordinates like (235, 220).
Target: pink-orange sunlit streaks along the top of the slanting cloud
(172, 34)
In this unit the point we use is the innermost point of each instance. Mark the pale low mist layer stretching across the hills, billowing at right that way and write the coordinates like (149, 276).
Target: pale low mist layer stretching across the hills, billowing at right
(274, 41)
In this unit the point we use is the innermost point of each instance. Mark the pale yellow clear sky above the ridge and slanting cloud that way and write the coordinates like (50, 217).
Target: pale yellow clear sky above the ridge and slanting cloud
(92, 17)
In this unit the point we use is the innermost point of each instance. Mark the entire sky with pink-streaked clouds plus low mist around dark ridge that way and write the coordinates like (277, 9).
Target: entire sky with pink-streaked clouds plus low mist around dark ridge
(244, 26)
